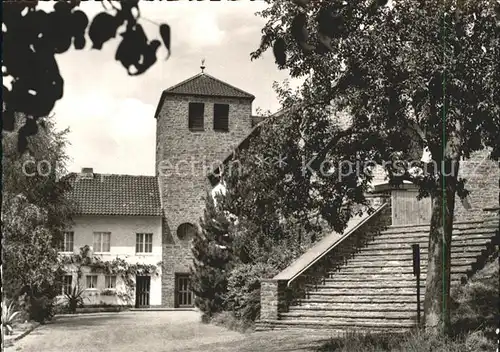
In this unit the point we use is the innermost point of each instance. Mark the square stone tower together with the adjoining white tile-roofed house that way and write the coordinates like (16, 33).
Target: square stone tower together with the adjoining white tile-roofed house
(151, 220)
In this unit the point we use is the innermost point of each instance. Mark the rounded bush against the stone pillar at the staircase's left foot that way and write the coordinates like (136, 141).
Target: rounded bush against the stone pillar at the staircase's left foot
(243, 297)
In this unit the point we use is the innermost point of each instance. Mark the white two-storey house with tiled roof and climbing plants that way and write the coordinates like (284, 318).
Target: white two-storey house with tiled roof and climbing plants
(118, 220)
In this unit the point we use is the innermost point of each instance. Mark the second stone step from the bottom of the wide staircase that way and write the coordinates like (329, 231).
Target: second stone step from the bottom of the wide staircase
(349, 315)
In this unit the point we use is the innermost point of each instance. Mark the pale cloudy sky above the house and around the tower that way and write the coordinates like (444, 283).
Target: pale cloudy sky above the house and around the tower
(111, 115)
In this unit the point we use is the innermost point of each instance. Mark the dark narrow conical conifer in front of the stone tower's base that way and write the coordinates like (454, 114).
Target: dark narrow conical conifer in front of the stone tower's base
(212, 260)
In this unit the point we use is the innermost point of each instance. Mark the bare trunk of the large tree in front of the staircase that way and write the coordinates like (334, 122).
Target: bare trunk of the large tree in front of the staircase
(437, 286)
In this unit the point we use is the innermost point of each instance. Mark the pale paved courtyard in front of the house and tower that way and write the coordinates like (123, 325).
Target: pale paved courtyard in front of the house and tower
(163, 331)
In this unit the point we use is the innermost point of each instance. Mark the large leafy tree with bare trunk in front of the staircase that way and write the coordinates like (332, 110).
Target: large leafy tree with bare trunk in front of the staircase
(429, 68)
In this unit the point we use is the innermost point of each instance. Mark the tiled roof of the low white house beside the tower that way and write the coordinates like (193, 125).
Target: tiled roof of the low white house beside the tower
(108, 194)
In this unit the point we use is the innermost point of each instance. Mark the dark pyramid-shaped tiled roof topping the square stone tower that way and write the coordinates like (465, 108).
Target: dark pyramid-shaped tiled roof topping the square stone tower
(204, 85)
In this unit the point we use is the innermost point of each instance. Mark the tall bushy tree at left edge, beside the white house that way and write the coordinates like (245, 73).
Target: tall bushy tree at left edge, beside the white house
(35, 211)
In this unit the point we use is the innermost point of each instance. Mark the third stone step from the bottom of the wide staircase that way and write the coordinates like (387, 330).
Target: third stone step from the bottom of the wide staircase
(368, 307)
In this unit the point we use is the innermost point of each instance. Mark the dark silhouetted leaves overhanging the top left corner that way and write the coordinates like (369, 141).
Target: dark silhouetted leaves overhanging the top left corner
(32, 38)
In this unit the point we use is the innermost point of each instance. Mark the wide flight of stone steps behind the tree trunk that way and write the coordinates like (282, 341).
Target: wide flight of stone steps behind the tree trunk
(375, 288)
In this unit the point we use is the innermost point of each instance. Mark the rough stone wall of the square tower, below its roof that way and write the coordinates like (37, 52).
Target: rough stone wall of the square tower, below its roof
(183, 160)
